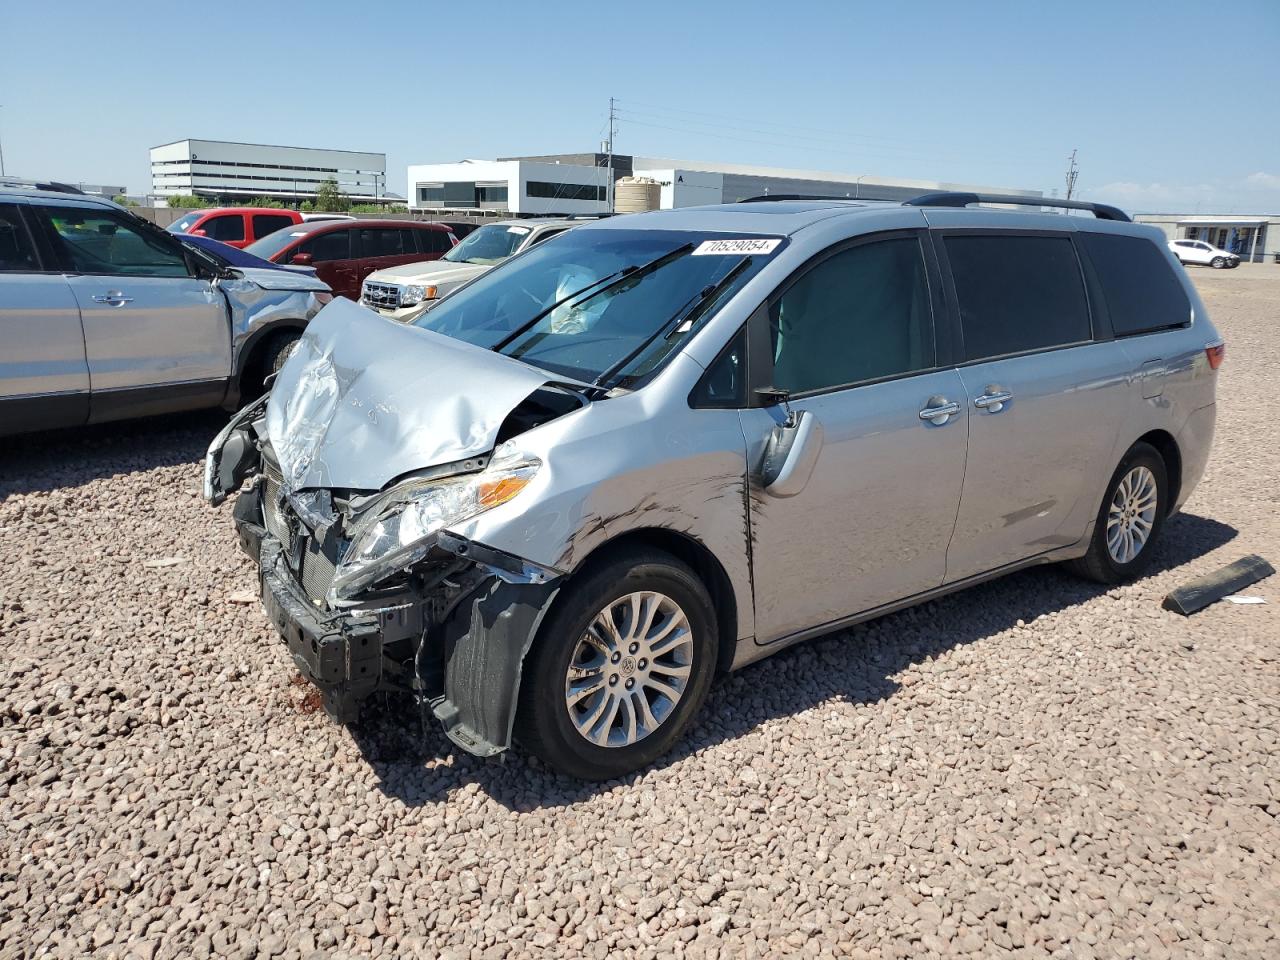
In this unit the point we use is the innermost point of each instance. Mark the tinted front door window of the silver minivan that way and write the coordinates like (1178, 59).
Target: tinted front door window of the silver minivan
(860, 316)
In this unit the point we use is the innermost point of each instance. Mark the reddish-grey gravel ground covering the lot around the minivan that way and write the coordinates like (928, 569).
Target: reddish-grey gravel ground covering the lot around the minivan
(1036, 766)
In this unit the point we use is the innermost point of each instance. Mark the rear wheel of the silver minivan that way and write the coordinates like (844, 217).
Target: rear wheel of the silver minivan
(1131, 519)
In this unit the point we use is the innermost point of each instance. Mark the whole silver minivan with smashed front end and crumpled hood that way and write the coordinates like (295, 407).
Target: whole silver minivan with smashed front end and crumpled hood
(675, 444)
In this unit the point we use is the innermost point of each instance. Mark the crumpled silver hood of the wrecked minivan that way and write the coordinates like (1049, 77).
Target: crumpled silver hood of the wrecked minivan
(365, 400)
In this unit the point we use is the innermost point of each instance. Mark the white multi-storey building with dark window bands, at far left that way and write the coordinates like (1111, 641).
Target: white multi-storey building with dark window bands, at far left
(235, 172)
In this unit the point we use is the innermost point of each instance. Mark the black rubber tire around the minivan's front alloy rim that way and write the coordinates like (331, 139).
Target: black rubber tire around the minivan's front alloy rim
(543, 721)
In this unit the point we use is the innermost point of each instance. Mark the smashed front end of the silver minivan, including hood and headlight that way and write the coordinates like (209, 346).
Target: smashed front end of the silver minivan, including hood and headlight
(359, 572)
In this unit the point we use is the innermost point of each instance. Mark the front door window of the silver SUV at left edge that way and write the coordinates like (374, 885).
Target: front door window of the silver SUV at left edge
(102, 243)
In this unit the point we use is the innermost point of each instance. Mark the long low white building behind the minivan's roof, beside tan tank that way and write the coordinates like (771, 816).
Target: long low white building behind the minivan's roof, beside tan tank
(578, 184)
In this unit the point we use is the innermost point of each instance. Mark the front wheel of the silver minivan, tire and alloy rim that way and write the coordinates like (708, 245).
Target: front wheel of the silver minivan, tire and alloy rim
(620, 668)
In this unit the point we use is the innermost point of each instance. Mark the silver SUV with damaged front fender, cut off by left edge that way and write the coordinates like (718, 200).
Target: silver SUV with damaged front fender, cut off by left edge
(104, 316)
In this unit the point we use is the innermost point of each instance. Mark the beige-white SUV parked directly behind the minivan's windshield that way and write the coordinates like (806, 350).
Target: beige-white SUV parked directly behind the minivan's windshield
(406, 292)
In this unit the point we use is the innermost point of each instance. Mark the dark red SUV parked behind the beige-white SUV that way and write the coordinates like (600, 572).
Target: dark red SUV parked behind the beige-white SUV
(346, 252)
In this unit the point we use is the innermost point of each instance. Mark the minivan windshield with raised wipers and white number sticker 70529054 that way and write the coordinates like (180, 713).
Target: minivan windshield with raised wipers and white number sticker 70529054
(602, 307)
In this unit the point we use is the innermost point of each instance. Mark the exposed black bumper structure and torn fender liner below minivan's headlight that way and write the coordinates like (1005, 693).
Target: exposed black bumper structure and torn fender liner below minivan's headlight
(459, 648)
